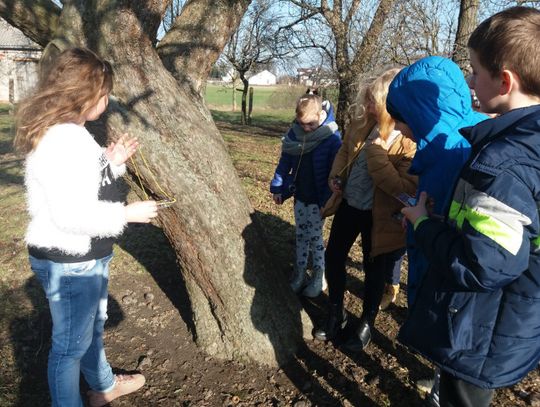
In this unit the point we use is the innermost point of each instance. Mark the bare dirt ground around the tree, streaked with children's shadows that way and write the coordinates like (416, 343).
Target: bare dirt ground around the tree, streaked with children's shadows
(146, 330)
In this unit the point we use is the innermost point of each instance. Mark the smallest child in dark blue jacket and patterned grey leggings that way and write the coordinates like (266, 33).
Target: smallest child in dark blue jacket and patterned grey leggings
(308, 151)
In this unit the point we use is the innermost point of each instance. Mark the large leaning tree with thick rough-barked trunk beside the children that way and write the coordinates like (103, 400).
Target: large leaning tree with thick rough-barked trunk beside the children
(240, 309)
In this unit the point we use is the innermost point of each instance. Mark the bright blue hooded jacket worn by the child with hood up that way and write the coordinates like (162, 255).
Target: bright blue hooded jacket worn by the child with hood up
(433, 99)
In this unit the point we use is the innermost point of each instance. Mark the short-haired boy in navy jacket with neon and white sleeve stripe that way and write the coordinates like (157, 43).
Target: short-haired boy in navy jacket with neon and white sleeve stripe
(476, 312)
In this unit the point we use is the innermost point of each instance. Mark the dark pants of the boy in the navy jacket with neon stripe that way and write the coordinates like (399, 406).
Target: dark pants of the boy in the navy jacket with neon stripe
(454, 392)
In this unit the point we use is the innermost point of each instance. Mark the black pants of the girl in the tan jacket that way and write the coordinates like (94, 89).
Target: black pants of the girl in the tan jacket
(348, 223)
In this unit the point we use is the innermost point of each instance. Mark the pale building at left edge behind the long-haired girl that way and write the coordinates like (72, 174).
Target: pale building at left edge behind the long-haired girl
(19, 57)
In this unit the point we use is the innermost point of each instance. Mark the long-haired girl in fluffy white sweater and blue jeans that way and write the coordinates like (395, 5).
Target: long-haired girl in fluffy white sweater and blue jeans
(76, 211)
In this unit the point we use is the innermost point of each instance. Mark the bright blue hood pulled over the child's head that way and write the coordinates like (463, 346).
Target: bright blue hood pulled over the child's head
(433, 99)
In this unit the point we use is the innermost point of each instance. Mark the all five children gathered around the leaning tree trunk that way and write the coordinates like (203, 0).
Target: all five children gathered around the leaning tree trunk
(473, 234)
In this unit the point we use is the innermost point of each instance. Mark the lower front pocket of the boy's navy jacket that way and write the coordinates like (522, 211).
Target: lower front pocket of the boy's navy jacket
(460, 313)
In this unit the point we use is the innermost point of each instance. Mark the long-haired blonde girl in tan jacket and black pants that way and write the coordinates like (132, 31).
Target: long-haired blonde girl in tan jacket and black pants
(368, 174)
